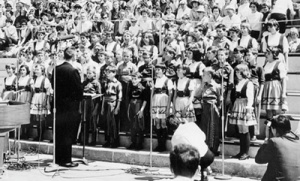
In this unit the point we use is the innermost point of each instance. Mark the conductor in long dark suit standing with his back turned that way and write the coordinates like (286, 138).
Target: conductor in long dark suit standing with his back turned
(69, 93)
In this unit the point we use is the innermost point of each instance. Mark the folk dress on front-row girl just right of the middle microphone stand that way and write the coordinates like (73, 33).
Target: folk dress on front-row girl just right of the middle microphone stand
(160, 98)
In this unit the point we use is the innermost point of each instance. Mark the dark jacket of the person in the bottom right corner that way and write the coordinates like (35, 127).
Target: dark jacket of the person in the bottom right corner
(283, 157)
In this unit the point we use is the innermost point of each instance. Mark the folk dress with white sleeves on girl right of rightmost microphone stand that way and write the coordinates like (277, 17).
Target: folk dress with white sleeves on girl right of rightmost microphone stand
(244, 97)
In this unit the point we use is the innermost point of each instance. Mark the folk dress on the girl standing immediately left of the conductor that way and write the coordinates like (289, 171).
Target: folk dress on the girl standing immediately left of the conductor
(39, 103)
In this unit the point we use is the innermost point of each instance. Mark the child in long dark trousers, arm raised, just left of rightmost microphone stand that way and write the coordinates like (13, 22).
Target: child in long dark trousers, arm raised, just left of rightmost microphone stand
(210, 95)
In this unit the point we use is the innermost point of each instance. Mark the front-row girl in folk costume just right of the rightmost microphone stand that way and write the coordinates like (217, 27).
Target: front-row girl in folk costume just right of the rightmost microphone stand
(242, 113)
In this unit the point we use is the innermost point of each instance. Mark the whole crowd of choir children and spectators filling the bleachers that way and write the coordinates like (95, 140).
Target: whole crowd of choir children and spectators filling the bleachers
(192, 59)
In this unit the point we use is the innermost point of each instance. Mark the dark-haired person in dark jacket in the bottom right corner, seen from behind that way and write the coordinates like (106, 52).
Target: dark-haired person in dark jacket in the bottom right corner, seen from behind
(281, 152)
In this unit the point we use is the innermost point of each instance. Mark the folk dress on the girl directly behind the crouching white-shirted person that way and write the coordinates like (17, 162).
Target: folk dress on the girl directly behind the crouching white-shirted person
(183, 87)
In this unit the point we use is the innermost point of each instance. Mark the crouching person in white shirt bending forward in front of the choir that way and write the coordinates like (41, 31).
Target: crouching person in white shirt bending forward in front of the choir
(189, 133)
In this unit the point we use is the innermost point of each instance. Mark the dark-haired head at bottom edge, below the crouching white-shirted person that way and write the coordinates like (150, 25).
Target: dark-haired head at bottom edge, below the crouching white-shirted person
(184, 160)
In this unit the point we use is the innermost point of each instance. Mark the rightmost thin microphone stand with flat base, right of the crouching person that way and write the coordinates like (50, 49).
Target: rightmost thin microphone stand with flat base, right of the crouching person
(223, 176)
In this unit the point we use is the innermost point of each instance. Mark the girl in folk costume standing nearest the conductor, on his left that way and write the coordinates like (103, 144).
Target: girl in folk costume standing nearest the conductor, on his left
(40, 107)
